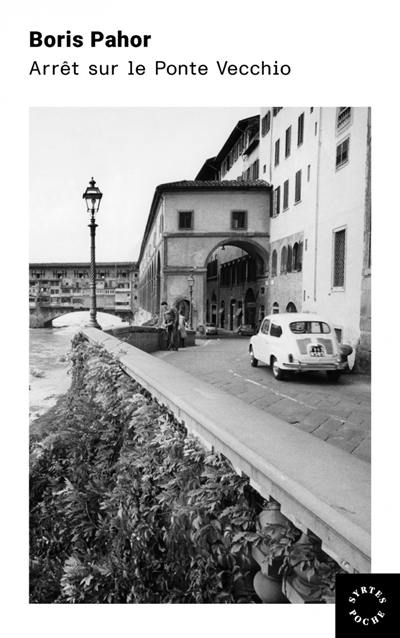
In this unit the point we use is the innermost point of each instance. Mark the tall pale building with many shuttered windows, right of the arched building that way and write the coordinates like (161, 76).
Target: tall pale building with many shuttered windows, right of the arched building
(318, 163)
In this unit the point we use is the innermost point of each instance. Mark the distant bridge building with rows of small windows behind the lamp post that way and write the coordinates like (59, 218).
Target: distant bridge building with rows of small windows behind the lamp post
(58, 288)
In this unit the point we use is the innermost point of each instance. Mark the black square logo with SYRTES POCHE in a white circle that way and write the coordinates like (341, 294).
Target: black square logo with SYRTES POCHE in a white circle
(365, 604)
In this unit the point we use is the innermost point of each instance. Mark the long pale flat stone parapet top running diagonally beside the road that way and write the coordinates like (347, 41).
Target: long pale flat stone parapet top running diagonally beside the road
(296, 470)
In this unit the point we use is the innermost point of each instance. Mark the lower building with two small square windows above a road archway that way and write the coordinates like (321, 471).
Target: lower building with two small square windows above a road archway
(189, 225)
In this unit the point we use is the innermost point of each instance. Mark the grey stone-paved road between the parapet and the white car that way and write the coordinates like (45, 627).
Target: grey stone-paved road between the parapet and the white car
(339, 413)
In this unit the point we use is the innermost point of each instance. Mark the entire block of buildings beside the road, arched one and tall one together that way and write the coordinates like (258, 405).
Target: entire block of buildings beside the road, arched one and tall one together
(315, 165)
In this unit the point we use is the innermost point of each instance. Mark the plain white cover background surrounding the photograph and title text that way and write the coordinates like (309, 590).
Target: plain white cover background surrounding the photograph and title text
(340, 52)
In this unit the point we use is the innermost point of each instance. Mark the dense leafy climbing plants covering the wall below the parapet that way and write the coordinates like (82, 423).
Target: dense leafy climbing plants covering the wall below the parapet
(126, 507)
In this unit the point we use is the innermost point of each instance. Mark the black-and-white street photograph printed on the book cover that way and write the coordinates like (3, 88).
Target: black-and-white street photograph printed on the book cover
(200, 353)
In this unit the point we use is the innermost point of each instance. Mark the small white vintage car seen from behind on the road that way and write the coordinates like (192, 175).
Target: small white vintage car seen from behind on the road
(297, 342)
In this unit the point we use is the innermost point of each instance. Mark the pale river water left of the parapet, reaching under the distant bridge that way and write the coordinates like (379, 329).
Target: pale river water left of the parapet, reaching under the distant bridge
(48, 359)
